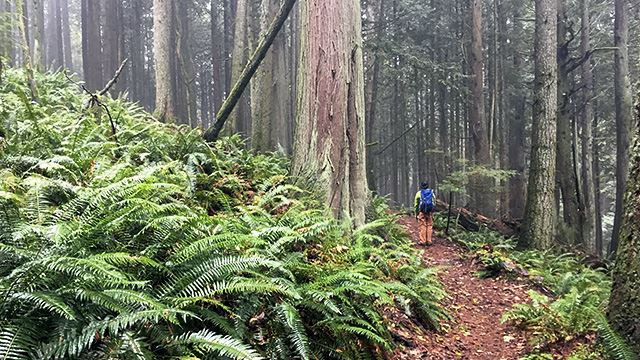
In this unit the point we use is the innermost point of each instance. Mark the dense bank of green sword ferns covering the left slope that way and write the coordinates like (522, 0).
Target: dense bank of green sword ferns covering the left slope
(152, 244)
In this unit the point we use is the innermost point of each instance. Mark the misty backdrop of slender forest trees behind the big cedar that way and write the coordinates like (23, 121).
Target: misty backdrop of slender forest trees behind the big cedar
(419, 57)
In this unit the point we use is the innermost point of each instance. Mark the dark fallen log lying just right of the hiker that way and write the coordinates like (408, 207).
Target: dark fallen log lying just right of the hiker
(472, 221)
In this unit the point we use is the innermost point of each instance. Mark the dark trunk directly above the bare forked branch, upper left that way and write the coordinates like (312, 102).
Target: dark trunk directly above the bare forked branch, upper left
(92, 45)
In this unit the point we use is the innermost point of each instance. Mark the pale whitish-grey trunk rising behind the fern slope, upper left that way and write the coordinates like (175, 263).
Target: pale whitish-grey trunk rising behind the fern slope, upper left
(162, 51)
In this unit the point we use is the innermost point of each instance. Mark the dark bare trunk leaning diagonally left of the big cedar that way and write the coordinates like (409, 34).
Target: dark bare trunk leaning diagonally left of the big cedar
(212, 133)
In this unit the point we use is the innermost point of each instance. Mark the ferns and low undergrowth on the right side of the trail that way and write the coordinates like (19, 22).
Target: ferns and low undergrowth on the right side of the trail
(568, 299)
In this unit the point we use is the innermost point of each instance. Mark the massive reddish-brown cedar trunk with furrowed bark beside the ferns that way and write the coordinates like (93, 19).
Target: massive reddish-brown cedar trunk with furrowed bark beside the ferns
(329, 141)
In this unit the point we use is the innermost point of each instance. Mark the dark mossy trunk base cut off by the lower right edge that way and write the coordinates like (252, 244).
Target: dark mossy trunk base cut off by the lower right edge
(624, 305)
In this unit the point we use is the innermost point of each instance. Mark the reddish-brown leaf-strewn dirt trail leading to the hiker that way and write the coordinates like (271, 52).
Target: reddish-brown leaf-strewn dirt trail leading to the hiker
(475, 305)
